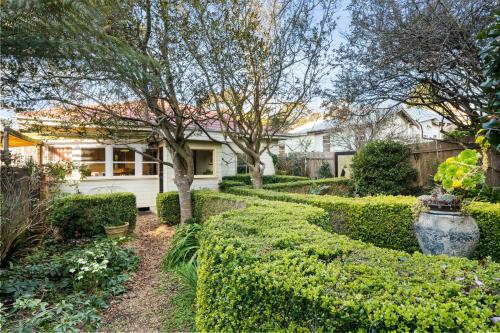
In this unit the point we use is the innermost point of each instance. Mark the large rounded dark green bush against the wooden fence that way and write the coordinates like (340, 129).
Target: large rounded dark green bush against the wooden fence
(382, 167)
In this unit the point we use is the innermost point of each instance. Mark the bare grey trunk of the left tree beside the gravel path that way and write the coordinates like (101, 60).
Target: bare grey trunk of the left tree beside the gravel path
(184, 175)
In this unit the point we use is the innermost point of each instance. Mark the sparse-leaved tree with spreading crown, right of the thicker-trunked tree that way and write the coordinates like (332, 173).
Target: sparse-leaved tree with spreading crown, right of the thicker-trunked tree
(261, 62)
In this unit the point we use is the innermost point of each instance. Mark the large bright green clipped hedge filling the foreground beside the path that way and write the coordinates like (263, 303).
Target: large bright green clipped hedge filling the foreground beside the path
(266, 267)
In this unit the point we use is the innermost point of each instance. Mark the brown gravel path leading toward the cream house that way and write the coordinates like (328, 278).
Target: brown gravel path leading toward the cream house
(140, 308)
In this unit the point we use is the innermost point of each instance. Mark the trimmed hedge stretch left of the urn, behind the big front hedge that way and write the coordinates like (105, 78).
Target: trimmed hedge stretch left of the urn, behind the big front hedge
(384, 221)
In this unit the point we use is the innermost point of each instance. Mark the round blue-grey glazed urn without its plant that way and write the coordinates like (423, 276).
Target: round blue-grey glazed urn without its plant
(444, 232)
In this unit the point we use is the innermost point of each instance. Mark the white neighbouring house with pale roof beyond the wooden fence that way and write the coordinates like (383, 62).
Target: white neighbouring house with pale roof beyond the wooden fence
(409, 126)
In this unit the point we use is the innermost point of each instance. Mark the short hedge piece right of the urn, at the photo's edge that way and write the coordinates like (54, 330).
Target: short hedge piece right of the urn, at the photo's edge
(487, 216)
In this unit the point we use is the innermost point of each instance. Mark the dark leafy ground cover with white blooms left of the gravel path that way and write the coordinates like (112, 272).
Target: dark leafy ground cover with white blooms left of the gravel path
(61, 287)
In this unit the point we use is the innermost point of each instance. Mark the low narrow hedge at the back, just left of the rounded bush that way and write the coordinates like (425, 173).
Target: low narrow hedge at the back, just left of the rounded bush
(336, 186)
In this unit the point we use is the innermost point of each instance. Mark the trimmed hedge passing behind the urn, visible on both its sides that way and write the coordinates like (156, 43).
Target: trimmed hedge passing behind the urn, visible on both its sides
(387, 221)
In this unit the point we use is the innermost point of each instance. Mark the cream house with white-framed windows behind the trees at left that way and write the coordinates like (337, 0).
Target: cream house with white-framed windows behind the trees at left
(116, 167)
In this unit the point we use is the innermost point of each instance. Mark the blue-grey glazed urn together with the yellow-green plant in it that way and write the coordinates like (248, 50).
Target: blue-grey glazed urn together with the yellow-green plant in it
(442, 226)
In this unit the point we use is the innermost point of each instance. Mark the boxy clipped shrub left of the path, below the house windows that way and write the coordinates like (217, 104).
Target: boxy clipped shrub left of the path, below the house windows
(83, 215)
